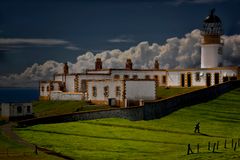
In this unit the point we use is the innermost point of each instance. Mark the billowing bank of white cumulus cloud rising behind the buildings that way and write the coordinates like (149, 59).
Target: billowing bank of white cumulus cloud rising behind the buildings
(175, 53)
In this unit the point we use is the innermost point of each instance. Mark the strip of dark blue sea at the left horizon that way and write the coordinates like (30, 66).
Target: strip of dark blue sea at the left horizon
(18, 95)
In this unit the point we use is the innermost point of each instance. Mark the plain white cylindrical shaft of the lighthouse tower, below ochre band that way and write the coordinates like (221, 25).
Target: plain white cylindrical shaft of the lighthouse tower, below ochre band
(210, 57)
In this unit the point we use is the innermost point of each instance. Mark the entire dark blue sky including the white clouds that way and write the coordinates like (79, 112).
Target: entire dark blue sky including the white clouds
(37, 36)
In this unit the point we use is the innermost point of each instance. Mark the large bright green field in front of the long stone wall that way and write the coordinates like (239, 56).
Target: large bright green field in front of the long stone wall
(164, 138)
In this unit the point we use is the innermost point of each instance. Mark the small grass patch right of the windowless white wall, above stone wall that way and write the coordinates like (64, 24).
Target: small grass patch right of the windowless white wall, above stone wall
(163, 92)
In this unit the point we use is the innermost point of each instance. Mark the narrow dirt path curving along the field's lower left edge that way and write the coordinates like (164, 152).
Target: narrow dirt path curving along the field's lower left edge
(8, 132)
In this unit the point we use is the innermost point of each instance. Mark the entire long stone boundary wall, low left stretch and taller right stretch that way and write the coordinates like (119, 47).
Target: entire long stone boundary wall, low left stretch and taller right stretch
(150, 110)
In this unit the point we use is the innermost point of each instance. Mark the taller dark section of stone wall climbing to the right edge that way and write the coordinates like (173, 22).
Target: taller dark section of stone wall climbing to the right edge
(160, 108)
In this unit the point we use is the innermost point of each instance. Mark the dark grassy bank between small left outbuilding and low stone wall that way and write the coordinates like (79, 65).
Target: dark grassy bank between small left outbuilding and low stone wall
(49, 108)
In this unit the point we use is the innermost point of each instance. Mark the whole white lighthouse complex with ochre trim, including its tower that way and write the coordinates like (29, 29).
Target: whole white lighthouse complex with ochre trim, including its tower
(120, 85)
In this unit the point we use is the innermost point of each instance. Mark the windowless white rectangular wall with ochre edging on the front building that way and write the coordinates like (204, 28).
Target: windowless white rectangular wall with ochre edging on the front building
(136, 90)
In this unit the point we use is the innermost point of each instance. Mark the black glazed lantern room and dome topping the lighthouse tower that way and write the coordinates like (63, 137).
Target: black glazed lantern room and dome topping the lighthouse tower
(212, 25)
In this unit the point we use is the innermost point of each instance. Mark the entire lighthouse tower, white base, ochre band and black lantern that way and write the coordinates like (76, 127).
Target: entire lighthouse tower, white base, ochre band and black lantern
(211, 44)
